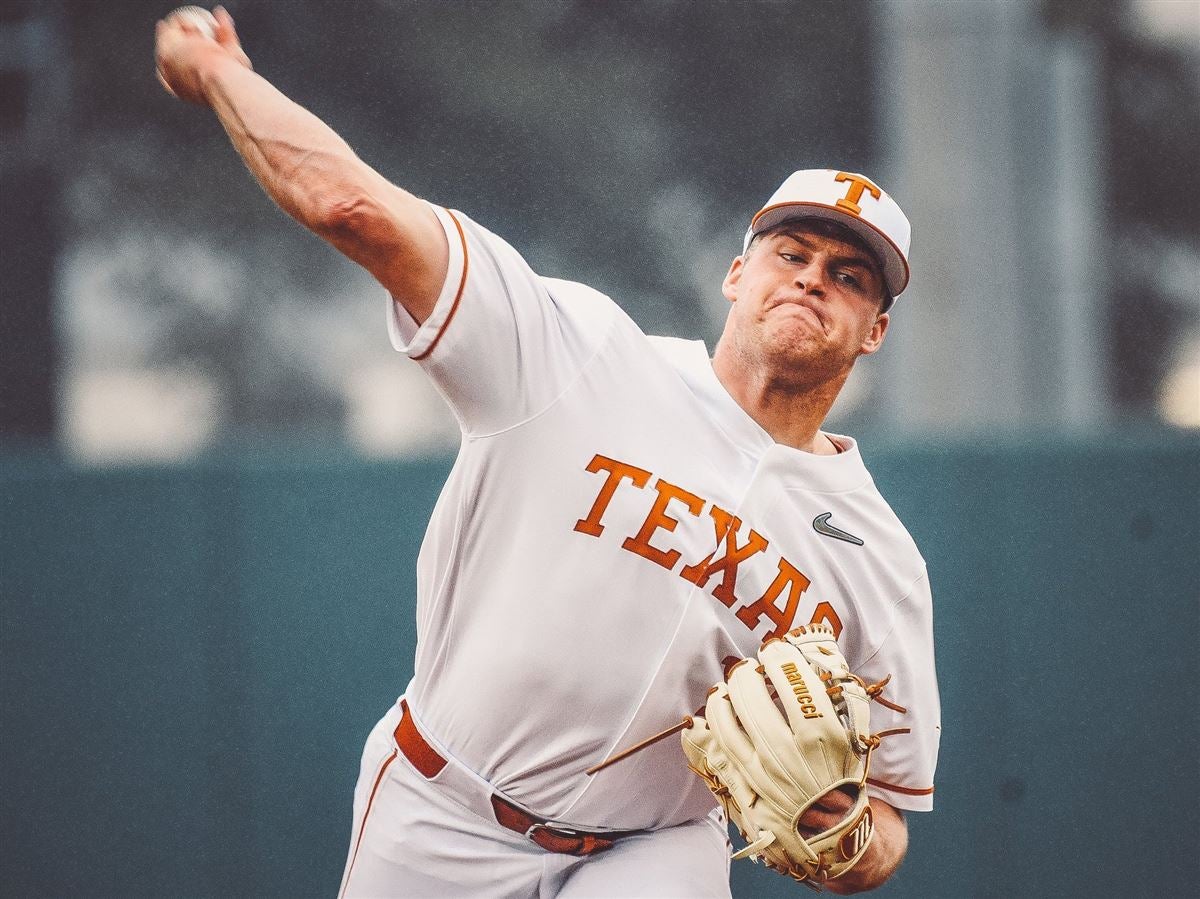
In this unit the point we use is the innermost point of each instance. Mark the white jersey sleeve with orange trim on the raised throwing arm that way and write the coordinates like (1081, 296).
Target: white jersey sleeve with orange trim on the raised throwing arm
(502, 343)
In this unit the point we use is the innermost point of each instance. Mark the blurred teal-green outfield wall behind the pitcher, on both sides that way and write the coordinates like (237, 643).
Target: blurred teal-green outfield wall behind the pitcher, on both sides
(191, 658)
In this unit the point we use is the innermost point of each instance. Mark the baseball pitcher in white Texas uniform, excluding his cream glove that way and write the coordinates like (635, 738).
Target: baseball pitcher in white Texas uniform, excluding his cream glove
(626, 518)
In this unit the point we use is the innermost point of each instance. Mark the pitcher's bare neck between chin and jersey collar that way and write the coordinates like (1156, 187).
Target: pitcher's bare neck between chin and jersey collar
(790, 411)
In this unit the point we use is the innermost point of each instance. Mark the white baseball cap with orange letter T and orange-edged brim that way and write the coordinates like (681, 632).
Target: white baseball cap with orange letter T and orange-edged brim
(853, 201)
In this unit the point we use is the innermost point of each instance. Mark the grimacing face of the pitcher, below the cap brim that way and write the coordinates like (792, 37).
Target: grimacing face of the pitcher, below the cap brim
(806, 303)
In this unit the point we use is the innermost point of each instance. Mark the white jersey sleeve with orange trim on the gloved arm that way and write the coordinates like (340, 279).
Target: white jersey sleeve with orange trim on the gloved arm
(903, 768)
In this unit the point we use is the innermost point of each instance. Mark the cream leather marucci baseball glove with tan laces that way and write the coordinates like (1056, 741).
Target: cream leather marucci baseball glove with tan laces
(778, 736)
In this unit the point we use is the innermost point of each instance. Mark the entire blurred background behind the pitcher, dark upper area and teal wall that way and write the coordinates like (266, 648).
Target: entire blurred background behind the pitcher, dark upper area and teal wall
(215, 474)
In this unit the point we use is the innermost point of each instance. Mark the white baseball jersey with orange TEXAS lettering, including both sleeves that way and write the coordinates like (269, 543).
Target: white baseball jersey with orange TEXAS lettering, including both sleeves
(614, 530)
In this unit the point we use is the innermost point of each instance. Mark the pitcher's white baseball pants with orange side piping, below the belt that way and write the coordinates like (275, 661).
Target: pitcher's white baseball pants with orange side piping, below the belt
(419, 838)
